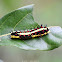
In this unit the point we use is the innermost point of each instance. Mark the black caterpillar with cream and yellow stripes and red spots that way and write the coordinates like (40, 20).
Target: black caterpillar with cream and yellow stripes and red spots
(33, 33)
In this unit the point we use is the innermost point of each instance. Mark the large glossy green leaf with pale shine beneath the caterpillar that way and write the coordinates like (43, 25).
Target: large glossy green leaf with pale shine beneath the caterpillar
(22, 19)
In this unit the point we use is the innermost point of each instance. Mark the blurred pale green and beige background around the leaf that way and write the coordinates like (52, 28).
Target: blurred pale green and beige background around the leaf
(45, 12)
